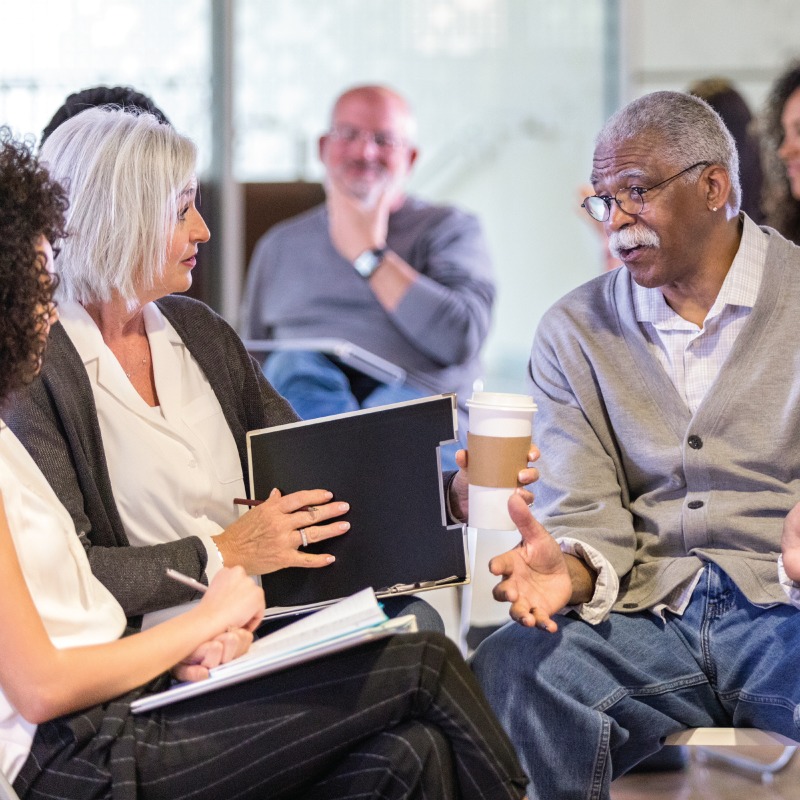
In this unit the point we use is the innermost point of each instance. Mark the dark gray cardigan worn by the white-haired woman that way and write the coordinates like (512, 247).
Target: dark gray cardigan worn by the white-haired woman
(56, 420)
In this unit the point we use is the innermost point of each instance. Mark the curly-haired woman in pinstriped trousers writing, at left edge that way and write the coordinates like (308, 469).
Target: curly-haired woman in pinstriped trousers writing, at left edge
(407, 705)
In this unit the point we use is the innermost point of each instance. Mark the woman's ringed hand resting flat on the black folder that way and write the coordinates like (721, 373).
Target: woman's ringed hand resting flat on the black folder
(273, 534)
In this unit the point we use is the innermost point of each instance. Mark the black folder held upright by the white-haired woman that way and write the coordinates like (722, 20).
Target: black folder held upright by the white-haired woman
(385, 463)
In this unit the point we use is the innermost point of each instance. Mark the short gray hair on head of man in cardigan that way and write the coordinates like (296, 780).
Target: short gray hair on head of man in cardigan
(688, 130)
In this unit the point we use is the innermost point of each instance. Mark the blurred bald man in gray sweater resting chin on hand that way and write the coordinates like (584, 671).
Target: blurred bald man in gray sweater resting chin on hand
(407, 280)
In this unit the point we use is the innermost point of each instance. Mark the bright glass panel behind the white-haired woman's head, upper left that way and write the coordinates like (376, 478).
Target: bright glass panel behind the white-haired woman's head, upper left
(51, 48)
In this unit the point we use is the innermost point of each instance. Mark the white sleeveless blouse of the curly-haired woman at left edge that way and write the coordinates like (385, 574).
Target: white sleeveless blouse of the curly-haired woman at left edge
(75, 607)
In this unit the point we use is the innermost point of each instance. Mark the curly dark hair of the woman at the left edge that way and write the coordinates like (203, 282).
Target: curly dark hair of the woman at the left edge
(31, 205)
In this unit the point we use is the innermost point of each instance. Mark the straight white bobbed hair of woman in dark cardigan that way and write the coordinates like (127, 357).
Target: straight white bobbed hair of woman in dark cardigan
(124, 174)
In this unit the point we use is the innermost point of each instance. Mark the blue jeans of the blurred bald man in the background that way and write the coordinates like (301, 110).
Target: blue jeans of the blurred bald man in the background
(316, 387)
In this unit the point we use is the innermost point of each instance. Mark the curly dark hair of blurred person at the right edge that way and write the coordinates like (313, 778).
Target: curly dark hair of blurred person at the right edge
(782, 210)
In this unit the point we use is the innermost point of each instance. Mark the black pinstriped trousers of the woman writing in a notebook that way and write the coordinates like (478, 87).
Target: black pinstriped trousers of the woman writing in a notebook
(398, 718)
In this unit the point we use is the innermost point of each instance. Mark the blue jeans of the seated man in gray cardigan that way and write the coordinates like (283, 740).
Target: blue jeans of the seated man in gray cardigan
(584, 705)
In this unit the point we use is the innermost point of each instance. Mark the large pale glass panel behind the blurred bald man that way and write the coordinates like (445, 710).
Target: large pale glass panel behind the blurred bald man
(508, 94)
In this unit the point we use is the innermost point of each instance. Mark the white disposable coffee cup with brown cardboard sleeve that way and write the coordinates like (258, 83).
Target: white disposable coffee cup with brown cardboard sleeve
(498, 439)
